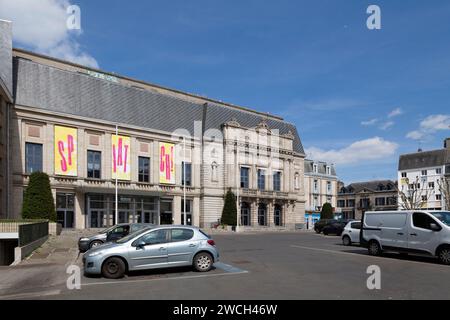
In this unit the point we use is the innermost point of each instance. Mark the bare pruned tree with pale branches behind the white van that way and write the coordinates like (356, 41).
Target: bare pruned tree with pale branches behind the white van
(413, 195)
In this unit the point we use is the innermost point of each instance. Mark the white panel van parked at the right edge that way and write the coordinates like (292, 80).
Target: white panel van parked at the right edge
(416, 232)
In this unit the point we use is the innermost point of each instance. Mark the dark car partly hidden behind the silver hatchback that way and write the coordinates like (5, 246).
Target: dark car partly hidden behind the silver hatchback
(113, 233)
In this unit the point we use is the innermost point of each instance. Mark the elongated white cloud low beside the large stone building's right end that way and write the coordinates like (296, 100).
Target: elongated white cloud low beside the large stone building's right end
(363, 150)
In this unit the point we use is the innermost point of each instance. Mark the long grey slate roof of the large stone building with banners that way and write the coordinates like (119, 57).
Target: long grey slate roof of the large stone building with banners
(45, 87)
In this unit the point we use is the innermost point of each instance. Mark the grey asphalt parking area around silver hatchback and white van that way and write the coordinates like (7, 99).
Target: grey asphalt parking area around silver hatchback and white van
(279, 266)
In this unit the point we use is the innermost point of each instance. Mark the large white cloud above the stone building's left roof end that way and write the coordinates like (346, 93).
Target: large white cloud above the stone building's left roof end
(41, 26)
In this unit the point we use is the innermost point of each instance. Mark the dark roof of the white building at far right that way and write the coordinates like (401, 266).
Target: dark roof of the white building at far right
(425, 159)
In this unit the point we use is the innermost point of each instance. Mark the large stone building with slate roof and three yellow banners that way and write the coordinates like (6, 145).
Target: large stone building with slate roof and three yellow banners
(169, 146)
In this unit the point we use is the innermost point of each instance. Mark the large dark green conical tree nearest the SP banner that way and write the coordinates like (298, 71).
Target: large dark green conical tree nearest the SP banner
(38, 202)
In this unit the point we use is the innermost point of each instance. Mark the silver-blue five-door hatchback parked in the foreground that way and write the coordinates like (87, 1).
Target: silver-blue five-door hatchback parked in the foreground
(152, 248)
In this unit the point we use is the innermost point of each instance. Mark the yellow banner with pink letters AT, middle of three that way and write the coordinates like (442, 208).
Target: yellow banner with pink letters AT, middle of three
(121, 157)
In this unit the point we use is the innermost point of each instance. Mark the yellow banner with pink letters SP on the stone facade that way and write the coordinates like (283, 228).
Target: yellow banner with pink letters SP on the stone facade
(65, 151)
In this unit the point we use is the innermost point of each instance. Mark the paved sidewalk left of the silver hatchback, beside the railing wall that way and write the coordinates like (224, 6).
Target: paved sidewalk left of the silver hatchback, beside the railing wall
(44, 271)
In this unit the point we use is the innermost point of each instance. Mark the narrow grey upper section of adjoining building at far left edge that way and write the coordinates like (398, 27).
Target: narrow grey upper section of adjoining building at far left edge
(6, 59)
